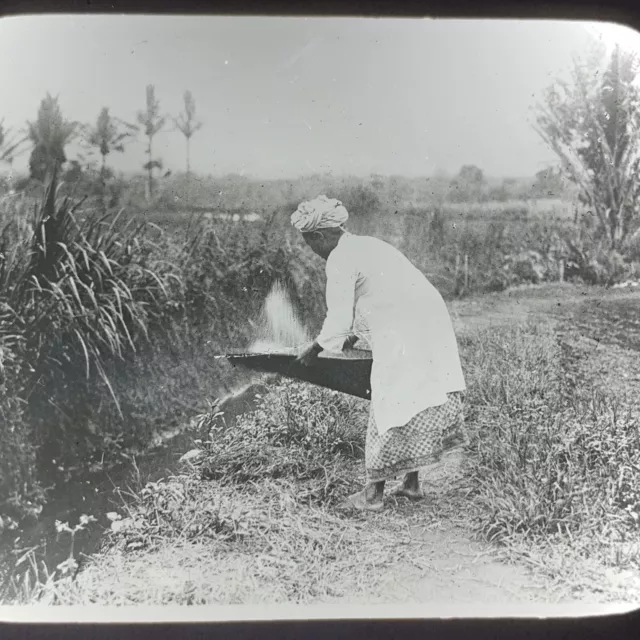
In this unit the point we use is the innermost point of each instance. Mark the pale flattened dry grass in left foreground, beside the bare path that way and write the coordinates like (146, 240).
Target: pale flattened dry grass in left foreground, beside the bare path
(273, 549)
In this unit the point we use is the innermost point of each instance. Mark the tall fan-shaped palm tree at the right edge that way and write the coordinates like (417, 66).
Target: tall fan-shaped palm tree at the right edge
(592, 123)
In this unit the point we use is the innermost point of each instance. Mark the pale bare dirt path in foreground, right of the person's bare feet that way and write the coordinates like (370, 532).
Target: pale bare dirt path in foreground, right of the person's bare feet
(455, 568)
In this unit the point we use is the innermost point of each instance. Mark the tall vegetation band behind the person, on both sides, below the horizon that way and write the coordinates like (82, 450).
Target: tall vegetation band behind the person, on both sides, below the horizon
(110, 323)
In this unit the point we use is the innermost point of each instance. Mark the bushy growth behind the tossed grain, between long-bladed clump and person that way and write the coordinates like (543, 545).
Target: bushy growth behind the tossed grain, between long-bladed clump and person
(226, 270)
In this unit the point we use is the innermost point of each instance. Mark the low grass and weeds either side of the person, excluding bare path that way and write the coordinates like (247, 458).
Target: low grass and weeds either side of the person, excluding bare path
(549, 465)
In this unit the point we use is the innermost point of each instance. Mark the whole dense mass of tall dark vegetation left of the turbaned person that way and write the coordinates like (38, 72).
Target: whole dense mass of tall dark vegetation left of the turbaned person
(116, 323)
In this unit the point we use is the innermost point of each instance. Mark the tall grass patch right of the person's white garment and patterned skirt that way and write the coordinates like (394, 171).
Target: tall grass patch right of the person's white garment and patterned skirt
(548, 462)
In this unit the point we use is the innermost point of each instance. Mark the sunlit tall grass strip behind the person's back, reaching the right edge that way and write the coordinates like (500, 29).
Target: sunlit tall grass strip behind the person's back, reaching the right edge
(468, 249)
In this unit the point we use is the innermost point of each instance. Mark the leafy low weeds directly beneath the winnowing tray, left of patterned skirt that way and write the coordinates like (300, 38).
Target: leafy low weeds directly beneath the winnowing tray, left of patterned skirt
(297, 432)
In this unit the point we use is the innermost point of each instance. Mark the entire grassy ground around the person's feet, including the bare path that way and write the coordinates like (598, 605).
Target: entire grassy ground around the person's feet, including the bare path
(542, 504)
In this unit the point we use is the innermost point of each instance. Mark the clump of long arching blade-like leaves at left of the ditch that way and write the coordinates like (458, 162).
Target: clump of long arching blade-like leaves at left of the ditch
(91, 294)
